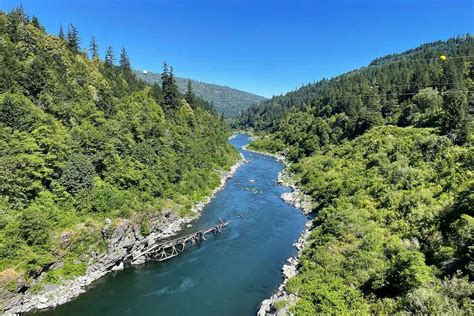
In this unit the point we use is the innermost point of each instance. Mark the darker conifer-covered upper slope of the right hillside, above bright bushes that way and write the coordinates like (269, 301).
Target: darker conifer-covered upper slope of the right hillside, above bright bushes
(414, 88)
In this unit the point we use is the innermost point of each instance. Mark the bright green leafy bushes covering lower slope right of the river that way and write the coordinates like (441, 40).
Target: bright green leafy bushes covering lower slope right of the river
(394, 225)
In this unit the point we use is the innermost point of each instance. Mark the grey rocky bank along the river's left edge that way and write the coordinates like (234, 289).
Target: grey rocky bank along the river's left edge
(123, 239)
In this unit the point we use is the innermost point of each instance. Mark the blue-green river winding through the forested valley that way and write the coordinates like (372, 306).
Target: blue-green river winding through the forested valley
(229, 274)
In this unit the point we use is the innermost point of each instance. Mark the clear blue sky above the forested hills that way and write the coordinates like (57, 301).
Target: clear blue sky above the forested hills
(264, 47)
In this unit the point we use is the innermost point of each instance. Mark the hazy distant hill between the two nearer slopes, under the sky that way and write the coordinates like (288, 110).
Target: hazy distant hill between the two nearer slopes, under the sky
(226, 100)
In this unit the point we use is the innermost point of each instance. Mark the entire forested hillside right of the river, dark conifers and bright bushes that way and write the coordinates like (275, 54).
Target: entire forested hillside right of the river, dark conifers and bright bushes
(386, 153)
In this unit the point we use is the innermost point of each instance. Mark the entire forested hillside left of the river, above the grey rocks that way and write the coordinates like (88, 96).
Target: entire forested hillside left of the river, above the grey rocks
(82, 140)
